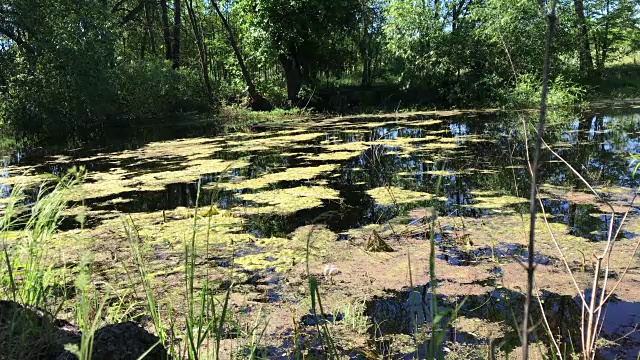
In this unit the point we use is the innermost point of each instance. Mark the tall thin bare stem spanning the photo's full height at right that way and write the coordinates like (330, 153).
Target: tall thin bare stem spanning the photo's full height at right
(532, 200)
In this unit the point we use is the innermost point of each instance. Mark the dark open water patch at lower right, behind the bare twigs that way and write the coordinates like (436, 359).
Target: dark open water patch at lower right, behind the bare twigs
(408, 313)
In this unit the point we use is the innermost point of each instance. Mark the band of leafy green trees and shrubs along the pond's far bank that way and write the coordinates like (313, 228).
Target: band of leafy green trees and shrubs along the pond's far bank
(73, 65)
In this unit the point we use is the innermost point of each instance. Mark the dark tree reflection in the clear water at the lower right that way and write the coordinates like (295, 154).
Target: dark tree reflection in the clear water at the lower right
(402, 312)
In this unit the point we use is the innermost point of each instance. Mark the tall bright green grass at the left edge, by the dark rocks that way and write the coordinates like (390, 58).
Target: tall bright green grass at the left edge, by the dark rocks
(29, 279)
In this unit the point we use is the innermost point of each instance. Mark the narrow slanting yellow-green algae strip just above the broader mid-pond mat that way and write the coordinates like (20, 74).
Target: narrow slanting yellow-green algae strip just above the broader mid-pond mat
(290, 174)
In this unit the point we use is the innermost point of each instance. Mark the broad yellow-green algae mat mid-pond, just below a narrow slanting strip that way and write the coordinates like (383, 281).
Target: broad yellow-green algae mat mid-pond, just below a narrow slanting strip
(287, 201)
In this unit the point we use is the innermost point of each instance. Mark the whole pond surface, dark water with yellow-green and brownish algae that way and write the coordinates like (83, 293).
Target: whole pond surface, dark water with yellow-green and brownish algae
(321, 189)
